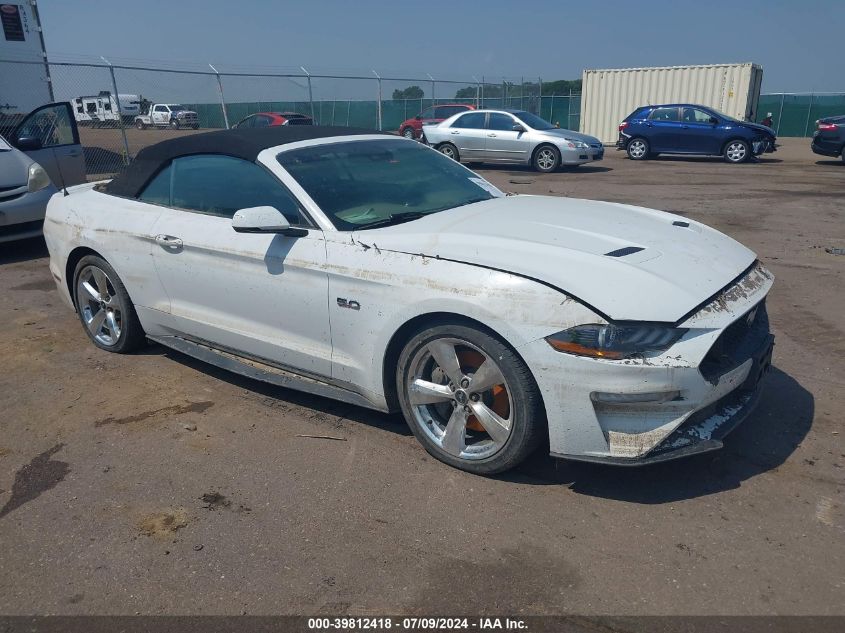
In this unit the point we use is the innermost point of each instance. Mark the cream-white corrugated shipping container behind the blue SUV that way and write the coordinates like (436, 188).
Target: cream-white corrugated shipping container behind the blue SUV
(608, 96)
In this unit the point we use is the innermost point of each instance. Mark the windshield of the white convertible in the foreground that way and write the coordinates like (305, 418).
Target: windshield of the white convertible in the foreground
(369, 183)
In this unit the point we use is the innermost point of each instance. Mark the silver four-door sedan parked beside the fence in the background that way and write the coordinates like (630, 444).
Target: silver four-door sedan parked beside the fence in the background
(512, 136)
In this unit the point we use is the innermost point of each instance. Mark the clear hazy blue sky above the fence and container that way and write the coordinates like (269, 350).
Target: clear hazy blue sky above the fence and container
(798, 43)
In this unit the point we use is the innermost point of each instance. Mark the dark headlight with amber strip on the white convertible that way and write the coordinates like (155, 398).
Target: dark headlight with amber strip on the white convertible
(615, 342)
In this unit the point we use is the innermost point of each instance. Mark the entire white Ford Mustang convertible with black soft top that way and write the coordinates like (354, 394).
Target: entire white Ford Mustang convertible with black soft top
(374, 270)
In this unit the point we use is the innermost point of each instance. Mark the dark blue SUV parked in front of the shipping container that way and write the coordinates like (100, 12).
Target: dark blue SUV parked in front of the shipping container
(684, 128)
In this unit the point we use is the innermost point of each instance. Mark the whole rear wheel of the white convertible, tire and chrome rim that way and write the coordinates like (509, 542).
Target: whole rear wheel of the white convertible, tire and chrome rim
(104, 307)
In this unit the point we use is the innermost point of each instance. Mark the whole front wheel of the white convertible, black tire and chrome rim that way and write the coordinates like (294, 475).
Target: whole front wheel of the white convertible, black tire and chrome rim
(469, 399)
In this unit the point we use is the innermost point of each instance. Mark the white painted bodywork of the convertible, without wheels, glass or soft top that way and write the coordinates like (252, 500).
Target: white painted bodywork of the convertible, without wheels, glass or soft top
(525, 267)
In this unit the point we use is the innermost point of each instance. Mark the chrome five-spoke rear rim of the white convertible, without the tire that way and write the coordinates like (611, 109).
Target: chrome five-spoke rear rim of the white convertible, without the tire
(99, 305)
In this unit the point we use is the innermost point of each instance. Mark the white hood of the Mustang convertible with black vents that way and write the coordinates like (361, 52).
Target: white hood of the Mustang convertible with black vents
(658, 271)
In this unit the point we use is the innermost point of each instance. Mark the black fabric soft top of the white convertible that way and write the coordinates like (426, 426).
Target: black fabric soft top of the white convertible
(244, 143)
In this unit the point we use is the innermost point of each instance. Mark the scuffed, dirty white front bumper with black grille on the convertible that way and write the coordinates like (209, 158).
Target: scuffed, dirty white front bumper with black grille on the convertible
(682, 401)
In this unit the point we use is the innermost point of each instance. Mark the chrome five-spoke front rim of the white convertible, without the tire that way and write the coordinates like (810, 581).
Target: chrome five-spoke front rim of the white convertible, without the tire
(460, 398)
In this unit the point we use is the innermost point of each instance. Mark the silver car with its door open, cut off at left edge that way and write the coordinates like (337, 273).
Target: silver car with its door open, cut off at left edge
(41, 154)
